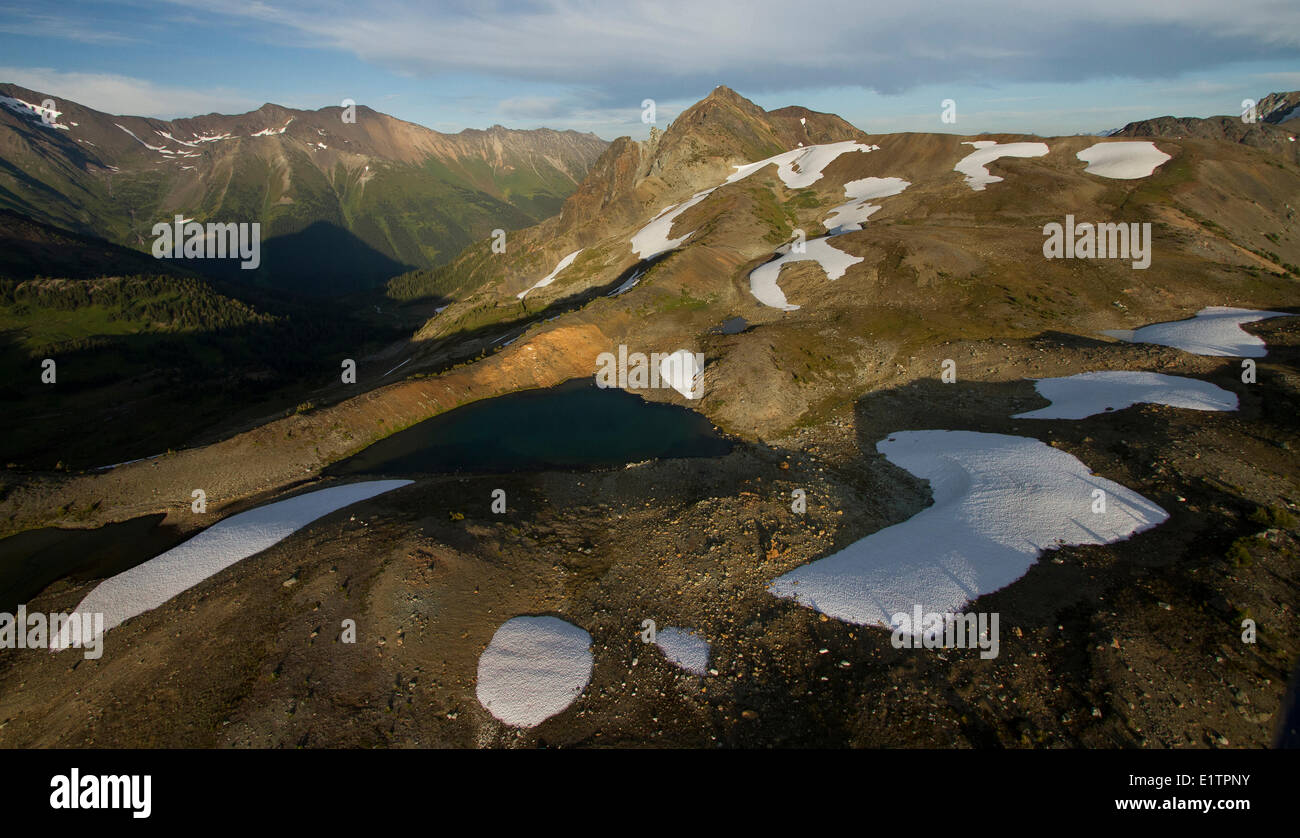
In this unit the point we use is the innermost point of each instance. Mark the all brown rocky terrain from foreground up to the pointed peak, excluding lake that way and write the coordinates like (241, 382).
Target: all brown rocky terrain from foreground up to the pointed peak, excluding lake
(1132, 644)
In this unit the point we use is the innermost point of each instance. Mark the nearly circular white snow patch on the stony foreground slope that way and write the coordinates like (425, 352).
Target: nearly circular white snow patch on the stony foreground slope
(534, 668)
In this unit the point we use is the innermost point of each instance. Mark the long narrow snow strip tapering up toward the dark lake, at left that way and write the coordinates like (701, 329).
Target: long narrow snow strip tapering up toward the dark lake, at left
(149, 585)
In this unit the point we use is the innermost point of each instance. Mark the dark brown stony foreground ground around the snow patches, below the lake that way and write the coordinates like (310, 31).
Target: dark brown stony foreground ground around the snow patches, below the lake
(1137, 644)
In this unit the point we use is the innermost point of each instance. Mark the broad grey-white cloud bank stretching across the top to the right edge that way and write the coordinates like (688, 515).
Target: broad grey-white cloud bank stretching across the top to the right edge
(671, 46)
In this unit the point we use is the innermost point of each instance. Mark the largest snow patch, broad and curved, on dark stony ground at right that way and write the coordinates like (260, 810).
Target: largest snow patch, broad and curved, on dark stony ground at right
(999, 503)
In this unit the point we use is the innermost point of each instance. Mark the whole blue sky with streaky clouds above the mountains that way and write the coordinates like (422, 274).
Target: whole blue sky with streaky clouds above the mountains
(1021, 67)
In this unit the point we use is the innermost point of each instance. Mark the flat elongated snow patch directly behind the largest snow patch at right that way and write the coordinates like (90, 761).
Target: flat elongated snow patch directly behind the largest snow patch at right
(1086, 394)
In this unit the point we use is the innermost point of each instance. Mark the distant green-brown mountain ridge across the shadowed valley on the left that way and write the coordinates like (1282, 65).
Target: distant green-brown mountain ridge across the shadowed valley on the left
(405, 196)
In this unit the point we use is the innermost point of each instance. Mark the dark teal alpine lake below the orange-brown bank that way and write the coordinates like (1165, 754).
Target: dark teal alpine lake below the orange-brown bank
(575, 425)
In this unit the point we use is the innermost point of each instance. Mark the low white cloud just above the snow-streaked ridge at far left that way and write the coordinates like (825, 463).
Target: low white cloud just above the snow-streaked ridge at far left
(127, 95)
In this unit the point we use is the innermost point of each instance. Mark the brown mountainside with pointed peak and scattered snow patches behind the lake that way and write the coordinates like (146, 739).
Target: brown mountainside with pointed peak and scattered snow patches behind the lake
(673, 237)
